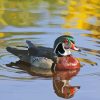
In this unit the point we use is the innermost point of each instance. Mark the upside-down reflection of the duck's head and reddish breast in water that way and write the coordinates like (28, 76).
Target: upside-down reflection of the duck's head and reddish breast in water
(61, 83)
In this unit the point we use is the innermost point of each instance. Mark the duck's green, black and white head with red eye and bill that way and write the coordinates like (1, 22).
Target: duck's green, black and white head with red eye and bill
(63, 44)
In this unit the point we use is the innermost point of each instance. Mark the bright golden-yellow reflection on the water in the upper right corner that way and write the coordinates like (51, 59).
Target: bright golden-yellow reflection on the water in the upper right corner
(83, 14)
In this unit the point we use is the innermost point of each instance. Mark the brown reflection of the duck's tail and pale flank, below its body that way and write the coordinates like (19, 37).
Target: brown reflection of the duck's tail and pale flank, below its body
(30, 70)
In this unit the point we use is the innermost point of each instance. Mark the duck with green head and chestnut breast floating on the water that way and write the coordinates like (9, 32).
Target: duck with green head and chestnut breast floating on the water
(57, 58)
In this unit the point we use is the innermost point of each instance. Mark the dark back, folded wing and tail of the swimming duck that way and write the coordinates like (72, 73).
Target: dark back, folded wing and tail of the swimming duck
(33, 50)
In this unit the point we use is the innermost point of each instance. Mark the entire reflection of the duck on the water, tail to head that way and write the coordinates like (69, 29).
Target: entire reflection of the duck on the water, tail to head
(61, 79)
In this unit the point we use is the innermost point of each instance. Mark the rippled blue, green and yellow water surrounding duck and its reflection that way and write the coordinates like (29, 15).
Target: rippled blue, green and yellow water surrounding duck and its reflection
(42, 21)
